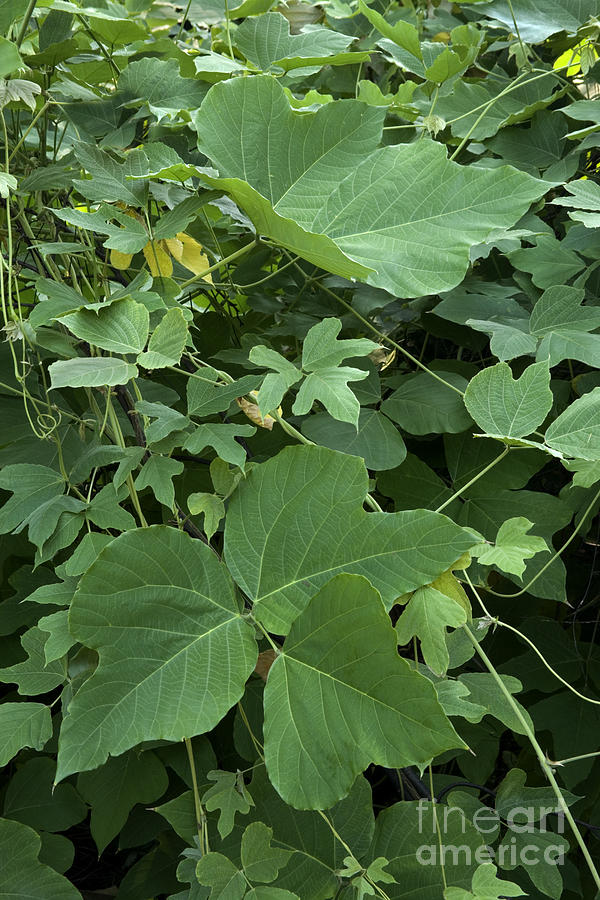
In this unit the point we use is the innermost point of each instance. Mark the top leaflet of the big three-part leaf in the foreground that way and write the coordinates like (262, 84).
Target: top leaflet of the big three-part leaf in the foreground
(298, 520)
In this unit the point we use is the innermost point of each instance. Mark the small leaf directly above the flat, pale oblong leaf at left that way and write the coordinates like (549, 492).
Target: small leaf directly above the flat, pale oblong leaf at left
(119, 327)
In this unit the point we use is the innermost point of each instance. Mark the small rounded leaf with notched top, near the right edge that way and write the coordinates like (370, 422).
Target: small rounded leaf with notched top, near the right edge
(506, 407)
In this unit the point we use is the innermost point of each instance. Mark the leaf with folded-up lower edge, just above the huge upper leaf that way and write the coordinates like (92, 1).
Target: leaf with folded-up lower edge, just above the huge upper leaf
(266, 41)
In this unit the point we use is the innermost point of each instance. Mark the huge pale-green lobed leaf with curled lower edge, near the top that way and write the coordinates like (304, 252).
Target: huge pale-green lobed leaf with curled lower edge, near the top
(402, 217)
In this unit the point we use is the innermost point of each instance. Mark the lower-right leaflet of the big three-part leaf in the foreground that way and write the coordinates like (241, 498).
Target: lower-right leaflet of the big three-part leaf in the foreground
(340, 682)
